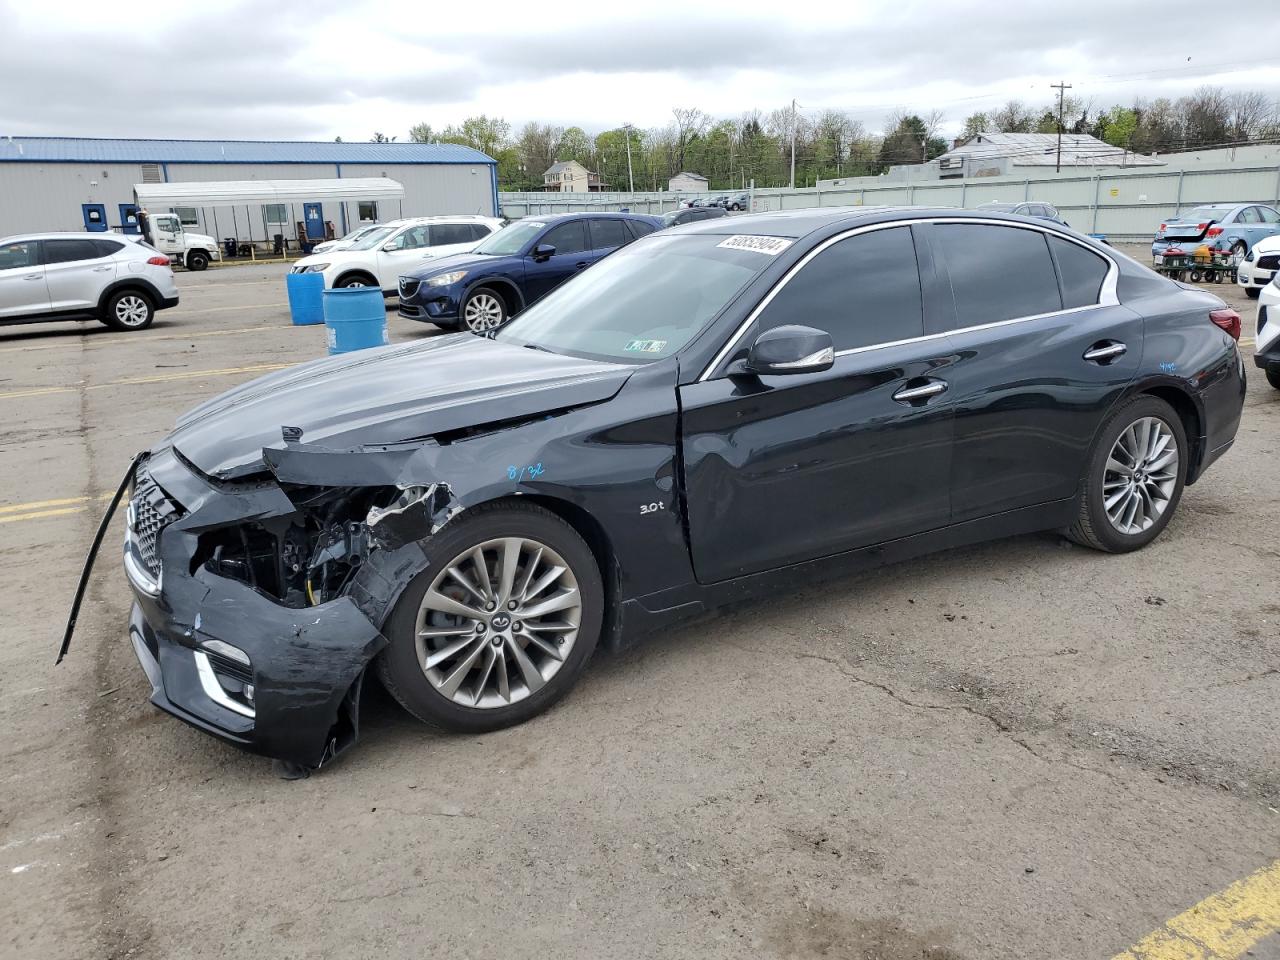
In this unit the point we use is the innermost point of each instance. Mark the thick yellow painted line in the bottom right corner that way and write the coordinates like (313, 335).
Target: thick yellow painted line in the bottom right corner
(1222, 927)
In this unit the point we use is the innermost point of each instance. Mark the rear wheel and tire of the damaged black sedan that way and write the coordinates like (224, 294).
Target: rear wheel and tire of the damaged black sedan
(1135, 479)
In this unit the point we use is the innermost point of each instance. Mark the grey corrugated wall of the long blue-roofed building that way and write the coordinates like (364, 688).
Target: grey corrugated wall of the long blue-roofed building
(40, 198)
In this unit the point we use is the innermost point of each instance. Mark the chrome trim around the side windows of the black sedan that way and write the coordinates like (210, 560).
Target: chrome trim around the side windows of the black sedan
(1108, 295)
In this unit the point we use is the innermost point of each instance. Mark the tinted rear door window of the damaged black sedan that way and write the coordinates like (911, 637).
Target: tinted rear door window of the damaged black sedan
(998, 273)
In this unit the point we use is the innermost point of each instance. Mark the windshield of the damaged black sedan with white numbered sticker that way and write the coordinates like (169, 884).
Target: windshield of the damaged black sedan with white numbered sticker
(643, 303)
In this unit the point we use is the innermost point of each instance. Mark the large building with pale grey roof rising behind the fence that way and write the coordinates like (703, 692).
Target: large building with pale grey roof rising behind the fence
(1000, 154)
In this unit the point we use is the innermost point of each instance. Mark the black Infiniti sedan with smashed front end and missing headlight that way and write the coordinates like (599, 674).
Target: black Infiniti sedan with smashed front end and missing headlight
(710, 413)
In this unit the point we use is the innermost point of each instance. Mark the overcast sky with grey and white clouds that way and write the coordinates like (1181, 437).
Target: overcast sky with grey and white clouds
(328, 68)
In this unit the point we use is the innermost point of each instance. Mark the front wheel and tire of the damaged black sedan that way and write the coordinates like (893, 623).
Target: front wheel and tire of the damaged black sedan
(501, 623)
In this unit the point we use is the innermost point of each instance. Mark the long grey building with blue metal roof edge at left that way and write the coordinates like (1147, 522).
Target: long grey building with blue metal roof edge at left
(75, 184)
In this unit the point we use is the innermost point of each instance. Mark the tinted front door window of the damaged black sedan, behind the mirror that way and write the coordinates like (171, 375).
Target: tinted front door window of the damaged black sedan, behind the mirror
(863, 291)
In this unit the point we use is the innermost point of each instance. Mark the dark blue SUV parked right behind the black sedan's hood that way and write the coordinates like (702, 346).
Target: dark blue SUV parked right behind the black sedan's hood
(514, 268)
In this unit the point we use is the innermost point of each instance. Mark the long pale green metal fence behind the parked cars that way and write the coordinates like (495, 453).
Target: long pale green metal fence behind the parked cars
(1122, 204)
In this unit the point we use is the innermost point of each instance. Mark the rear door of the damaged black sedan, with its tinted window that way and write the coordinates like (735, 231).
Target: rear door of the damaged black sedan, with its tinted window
(1043, 350)
